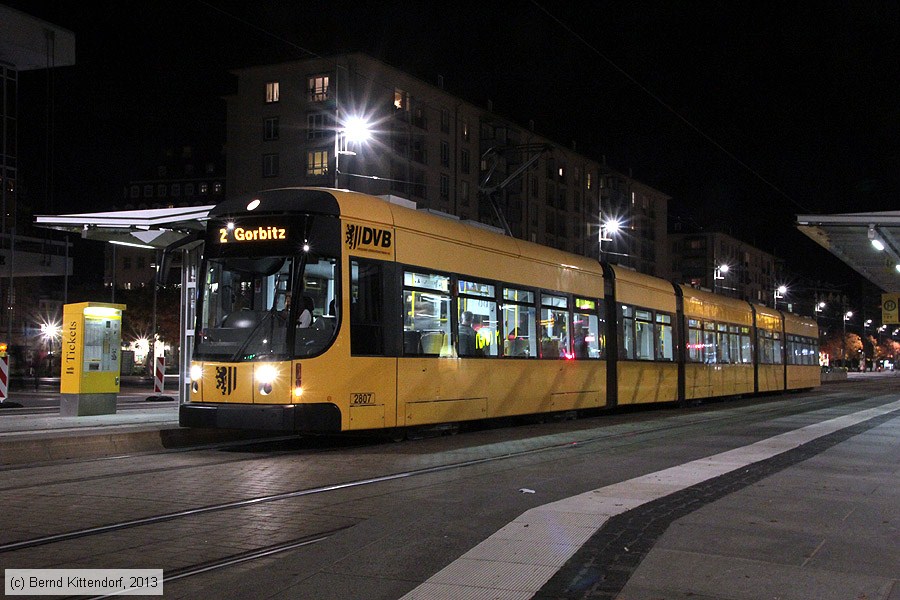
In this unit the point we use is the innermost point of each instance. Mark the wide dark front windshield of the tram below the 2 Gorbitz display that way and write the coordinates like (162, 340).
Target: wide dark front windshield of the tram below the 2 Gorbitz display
(266, 307)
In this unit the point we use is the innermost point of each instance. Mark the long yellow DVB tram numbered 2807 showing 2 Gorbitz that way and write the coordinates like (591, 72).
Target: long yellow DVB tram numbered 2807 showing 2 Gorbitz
(324, 310)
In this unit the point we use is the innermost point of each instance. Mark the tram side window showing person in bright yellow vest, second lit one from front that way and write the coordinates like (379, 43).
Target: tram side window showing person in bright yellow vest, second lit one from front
(477, 303)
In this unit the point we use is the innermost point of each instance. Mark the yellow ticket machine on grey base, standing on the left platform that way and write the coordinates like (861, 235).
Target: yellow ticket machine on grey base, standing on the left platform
(91, 358)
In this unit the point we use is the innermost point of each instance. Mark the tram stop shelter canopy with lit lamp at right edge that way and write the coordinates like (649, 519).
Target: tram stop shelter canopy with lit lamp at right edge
(868, 242)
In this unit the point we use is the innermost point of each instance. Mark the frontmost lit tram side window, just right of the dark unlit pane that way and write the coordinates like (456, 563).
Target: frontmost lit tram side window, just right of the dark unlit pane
(426, 314)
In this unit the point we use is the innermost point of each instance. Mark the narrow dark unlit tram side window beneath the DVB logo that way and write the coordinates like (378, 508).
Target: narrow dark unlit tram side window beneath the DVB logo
(367, 308)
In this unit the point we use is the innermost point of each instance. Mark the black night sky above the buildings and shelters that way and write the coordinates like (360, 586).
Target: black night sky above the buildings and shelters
(745, 113)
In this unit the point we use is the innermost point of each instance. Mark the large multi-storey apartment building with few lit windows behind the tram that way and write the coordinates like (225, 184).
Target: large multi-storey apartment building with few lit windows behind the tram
(289, 125)
